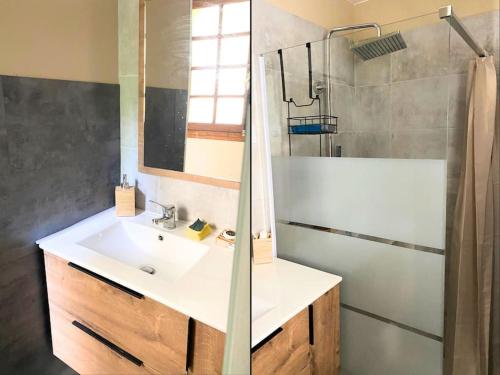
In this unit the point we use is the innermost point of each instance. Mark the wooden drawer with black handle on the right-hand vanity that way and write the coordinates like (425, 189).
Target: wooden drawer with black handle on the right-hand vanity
(287, 352)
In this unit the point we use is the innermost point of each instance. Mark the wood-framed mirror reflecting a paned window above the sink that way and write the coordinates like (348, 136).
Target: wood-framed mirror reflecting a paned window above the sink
(194, 89)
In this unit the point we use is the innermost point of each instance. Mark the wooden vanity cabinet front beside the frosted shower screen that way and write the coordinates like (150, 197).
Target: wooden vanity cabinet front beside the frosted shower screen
(306, 344)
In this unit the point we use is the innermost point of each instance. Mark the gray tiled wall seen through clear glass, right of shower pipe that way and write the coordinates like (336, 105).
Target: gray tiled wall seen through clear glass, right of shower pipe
(399, 106)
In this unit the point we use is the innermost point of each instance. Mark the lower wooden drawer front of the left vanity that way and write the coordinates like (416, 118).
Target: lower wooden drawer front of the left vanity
(87, 354)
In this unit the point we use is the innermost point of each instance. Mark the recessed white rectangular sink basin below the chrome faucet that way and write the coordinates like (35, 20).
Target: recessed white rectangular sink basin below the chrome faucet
(162, 254)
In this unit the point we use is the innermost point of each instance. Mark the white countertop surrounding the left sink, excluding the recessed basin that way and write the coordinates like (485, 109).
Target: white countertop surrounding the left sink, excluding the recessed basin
(202, 293)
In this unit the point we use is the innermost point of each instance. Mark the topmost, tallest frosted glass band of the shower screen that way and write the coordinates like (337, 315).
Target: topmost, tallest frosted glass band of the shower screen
(396, 199)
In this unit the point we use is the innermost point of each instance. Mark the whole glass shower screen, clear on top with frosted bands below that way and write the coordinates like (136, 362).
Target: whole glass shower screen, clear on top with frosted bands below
(376, 212)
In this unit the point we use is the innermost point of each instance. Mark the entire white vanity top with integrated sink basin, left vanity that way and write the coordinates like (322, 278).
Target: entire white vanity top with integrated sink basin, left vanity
(192, 277)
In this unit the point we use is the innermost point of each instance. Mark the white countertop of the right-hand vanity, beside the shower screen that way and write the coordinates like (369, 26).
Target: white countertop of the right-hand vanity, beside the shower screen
(286, 288)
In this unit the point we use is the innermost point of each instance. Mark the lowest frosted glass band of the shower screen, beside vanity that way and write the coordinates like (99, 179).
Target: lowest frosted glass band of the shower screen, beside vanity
(371, 347)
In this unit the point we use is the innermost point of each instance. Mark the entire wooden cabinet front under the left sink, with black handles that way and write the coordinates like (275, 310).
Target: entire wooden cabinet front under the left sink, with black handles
(99, 326)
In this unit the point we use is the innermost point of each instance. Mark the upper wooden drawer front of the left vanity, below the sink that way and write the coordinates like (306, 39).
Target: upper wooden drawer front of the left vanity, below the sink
(146, 329)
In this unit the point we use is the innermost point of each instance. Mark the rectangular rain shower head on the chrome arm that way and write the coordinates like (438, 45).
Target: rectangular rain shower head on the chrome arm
(382, 45)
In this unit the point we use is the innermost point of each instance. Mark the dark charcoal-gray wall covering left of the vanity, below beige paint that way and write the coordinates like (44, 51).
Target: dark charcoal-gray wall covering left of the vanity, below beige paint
(59, 162)
